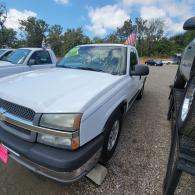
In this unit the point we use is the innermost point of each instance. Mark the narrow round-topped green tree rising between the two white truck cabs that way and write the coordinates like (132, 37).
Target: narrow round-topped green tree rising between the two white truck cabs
(55, 39)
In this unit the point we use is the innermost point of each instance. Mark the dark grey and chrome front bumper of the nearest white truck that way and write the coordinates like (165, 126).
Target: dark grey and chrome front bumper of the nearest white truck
(58, 164)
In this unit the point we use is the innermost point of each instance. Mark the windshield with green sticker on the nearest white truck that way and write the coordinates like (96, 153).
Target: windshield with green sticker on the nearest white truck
(108, 59)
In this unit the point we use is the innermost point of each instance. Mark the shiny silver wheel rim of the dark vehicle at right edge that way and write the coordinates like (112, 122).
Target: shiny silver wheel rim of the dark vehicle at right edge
(188, 100)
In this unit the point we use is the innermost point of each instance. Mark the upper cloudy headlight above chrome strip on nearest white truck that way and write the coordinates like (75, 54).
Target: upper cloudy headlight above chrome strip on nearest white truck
(64, 122)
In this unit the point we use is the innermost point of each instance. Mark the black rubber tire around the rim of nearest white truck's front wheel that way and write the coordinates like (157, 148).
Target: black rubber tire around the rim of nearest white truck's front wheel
(106, 153)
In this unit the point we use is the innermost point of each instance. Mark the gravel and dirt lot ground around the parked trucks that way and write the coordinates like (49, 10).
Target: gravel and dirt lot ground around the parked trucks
(138, 166)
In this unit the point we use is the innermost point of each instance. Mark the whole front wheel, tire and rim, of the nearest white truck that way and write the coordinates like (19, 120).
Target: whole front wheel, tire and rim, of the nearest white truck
(112, 133)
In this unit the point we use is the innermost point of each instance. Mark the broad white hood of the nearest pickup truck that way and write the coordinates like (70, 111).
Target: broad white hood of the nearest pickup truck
(56, 90)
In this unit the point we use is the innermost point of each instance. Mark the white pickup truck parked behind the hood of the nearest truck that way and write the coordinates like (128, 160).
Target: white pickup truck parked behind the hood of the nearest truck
(27, 59)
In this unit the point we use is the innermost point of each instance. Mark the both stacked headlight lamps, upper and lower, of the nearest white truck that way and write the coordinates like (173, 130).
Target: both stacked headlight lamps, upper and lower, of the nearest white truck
(69, 123)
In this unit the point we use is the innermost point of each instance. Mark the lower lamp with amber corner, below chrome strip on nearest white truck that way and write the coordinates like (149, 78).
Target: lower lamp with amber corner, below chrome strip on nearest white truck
(60, 142)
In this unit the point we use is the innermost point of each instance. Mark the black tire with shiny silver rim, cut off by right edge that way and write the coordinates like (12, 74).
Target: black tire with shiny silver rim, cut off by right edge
(186, 114)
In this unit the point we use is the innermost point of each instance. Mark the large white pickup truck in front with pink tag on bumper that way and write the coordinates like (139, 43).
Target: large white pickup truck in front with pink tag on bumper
(60, 122)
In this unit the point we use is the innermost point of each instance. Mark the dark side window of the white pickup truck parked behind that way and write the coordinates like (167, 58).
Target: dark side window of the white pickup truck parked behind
(39, 58)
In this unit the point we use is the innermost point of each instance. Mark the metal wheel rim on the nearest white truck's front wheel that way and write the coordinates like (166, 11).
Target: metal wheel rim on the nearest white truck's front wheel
(113, 135)
